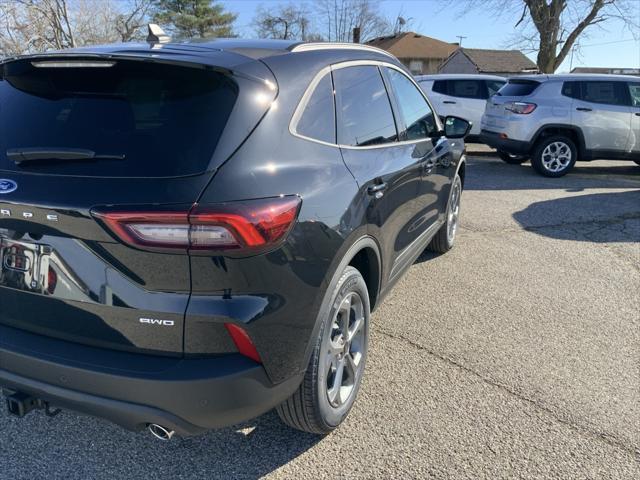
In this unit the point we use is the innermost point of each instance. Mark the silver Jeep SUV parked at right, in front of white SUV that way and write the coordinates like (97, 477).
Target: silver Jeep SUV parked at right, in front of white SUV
(558, 119)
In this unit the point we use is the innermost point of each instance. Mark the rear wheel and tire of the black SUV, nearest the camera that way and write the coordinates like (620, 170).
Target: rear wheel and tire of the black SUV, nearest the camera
(335, 371)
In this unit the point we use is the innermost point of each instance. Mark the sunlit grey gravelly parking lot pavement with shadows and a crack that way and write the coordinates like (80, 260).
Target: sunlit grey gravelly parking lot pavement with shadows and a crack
(515, 355)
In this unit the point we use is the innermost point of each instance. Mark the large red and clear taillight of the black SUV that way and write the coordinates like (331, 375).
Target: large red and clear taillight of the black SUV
(250, 226)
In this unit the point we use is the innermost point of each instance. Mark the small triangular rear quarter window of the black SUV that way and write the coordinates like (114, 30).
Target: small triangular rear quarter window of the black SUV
(318, 119)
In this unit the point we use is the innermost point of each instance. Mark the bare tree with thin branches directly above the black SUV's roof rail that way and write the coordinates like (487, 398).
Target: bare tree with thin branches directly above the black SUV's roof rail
(340, 17)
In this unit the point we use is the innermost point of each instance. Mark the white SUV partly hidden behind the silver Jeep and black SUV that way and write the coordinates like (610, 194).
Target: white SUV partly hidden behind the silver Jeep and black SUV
(461, 95)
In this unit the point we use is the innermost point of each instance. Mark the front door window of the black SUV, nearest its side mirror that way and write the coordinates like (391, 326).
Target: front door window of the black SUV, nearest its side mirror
(416, 114)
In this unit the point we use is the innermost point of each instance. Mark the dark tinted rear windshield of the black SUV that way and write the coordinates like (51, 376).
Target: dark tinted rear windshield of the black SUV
(144, 119)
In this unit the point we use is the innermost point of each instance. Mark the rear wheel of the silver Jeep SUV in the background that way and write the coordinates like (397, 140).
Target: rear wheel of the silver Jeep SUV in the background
(554, 156)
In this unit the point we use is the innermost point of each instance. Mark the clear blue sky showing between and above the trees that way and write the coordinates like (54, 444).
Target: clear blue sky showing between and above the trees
(609, 46)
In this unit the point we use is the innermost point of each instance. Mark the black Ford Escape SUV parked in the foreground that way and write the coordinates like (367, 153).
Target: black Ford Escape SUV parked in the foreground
(195, 233)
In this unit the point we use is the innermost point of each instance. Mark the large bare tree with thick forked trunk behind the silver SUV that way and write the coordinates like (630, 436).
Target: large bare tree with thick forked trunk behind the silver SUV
(551, 28)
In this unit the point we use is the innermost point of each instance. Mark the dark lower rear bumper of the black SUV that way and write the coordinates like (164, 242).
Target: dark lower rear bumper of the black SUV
(189, 396)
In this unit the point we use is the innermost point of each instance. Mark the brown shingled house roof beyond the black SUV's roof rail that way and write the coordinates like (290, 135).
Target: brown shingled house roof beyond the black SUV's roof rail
(414, 45)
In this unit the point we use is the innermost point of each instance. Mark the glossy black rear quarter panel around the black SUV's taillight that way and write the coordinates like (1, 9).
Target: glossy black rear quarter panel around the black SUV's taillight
(284, 288)
